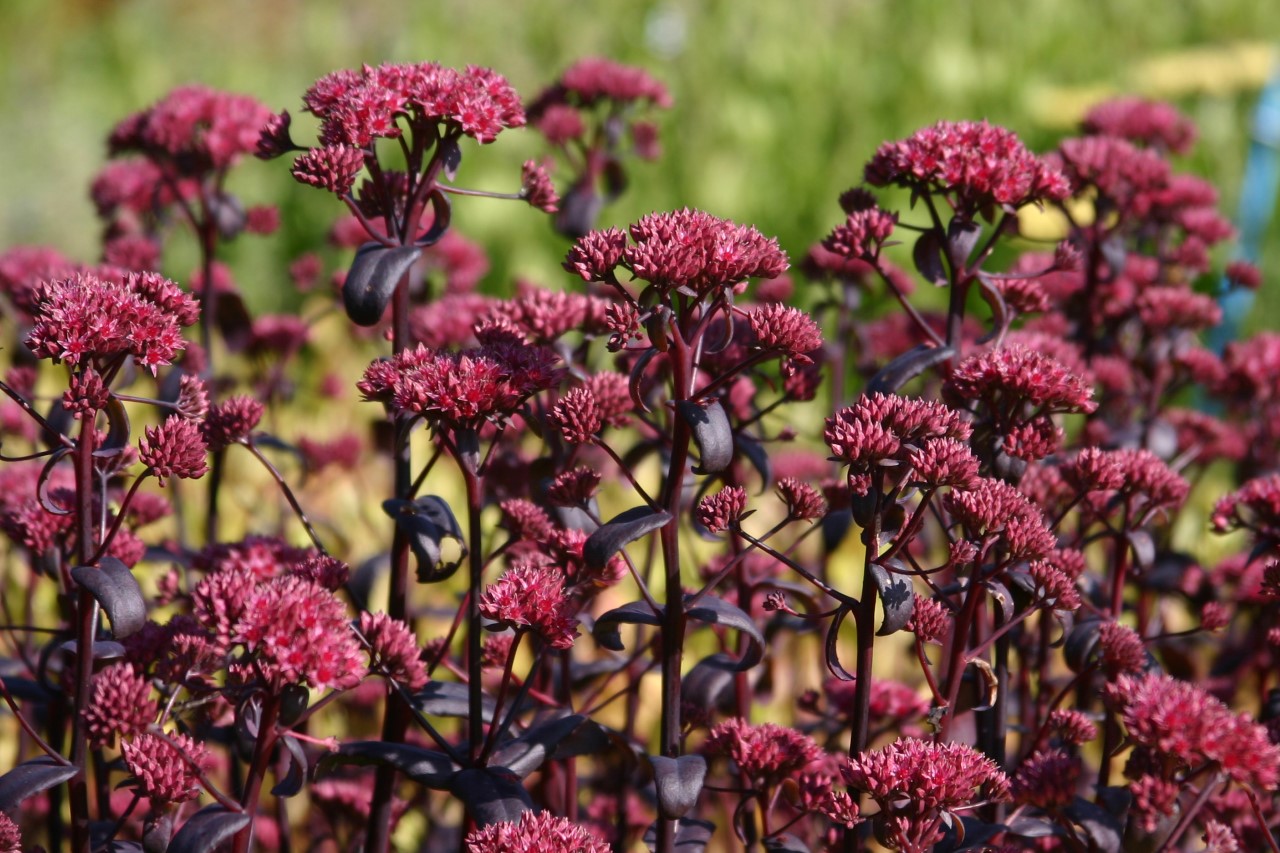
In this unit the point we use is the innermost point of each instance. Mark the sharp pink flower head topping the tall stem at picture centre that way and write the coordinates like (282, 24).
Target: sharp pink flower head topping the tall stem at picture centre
(689, 252)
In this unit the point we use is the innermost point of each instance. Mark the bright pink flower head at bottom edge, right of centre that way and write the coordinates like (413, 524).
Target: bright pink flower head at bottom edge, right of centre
(920, 783)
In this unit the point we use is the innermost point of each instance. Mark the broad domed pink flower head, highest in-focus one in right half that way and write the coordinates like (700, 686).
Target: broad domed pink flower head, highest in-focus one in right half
(973, 163)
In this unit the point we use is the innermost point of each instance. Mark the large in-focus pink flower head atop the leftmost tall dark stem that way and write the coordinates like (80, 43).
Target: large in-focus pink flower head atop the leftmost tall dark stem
(86, 320)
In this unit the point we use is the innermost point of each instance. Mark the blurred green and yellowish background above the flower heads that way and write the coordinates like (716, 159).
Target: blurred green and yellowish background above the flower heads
(778, 104)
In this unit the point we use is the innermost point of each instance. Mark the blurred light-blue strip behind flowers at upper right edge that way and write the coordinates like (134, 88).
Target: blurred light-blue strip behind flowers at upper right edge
(1258, 206)
